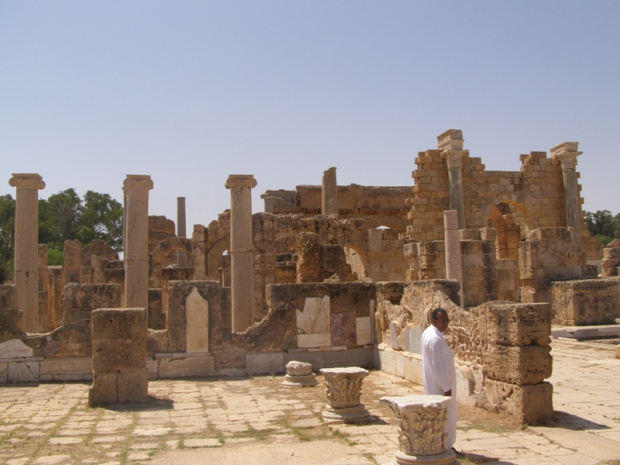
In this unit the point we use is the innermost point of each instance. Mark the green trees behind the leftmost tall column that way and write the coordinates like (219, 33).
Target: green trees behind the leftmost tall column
(63, 216)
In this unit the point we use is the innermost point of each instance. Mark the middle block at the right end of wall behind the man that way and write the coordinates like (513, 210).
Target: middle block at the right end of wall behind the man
(518, 365)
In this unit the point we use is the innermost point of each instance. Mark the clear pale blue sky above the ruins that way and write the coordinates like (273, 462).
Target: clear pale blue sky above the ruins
(192, 91)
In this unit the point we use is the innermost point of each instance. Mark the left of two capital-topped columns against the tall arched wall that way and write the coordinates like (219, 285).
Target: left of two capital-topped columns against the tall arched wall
(450, 143)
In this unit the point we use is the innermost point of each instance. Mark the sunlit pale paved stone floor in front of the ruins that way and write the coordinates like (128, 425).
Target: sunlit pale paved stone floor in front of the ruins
(234, 421)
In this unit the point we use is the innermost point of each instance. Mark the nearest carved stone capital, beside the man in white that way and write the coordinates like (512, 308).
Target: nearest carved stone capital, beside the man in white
(421, 422)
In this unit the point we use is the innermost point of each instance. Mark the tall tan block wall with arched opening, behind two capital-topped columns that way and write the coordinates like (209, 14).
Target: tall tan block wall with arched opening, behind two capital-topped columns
(505, 200)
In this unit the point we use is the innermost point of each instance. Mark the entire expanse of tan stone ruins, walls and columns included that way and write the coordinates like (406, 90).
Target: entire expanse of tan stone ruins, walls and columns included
(334, 276)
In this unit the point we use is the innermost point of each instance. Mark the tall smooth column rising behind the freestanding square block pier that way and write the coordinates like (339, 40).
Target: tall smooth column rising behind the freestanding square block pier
(137, 189)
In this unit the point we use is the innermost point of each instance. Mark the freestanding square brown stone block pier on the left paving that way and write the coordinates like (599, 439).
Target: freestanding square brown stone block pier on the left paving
(119, 356)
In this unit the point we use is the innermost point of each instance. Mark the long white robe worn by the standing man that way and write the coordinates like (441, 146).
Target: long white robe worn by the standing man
(439, 374)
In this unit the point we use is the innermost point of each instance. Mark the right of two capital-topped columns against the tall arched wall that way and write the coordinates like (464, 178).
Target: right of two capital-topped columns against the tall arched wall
(567, 153)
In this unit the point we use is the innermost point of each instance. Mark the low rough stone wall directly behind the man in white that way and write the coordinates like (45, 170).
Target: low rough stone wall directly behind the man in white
(501, 349)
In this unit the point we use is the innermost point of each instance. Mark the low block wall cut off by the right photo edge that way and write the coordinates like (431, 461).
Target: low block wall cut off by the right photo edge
(585, 302)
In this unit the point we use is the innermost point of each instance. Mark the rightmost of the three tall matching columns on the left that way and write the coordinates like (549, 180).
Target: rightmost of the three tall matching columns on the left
(241, 250)
